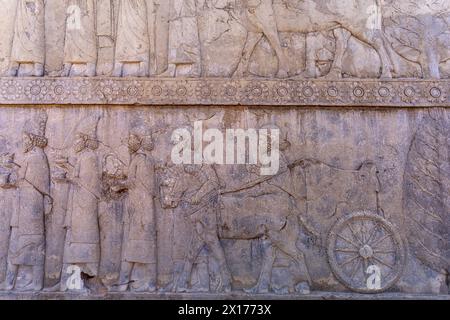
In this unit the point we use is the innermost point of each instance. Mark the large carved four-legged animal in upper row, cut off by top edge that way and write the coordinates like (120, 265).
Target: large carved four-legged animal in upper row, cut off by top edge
(360, 18)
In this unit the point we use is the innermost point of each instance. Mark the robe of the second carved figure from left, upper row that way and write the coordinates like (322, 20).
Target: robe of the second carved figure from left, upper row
(81, 38)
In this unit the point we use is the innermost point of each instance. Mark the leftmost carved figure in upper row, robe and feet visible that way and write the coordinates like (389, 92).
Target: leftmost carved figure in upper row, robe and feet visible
(28, 46)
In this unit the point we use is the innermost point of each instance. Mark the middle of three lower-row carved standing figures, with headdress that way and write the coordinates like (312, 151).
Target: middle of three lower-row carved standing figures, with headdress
(82, 245)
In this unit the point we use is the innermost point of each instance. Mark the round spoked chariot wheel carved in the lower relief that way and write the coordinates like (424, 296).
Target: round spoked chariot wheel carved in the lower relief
(366, 252)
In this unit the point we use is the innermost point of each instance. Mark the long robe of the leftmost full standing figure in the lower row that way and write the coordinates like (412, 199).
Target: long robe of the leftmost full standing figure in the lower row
(27, 244)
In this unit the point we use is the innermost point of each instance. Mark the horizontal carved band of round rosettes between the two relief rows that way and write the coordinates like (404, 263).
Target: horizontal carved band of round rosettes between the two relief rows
(216, 91)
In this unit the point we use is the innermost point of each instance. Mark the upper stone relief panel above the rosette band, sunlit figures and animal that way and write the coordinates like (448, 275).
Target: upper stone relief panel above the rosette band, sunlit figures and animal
(284, 39)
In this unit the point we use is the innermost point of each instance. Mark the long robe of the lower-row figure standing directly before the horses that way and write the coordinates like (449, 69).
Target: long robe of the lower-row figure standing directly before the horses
(140, 223)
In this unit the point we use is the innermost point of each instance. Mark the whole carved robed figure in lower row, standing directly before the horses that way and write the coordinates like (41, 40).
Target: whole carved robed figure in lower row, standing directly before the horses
(139, 245)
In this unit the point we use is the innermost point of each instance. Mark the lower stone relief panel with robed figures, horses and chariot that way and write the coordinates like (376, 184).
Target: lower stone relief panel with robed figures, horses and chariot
(93, 202)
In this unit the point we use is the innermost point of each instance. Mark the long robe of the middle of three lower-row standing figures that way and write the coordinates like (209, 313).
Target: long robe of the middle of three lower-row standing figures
(83, 235)
